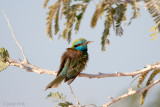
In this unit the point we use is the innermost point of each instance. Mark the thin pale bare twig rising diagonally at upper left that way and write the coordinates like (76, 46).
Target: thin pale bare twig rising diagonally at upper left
(25, 59)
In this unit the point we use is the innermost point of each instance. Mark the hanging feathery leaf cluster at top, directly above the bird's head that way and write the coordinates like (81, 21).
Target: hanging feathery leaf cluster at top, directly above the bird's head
(72, 12)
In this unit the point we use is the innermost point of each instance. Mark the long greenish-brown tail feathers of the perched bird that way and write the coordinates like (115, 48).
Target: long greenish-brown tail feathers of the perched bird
(56, 82)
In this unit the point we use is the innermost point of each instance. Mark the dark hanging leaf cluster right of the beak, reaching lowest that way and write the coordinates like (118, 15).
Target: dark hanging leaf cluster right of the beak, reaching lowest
(116, 14)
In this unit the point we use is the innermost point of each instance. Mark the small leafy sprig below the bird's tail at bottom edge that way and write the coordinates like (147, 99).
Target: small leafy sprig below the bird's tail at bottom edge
(59, 98)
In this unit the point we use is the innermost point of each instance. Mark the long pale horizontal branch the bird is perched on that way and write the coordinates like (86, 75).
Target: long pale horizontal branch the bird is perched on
(32, 68)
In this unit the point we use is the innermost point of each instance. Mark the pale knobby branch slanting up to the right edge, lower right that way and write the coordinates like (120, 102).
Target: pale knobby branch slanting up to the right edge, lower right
(131, 92)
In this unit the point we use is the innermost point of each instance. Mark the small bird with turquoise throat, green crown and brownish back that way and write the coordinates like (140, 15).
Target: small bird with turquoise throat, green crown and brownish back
(73, 62)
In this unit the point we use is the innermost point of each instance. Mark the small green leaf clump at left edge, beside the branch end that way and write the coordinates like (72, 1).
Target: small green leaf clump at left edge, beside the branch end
(4, 57)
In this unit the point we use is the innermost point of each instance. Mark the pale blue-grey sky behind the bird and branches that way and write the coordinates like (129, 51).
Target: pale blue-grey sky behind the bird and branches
(128, 53)
